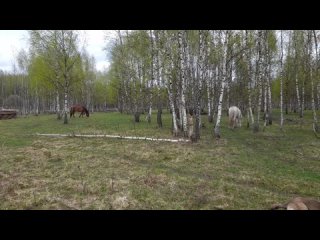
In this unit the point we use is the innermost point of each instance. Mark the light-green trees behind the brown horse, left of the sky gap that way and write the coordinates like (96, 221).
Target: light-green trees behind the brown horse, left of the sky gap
(54, 73)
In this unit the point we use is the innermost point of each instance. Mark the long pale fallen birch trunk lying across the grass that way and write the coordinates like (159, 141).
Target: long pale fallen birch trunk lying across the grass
(113, 136)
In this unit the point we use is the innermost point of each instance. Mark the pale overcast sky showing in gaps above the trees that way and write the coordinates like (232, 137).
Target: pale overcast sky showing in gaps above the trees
(12, 41)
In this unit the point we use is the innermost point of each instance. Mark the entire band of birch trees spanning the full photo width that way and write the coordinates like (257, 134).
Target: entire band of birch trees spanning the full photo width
(188, 72)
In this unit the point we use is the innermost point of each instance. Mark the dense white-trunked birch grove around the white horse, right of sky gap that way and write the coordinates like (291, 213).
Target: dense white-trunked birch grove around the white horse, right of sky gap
(192, 71)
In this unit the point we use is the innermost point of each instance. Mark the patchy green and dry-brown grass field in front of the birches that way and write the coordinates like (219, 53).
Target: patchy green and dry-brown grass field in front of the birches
(242, 170)
